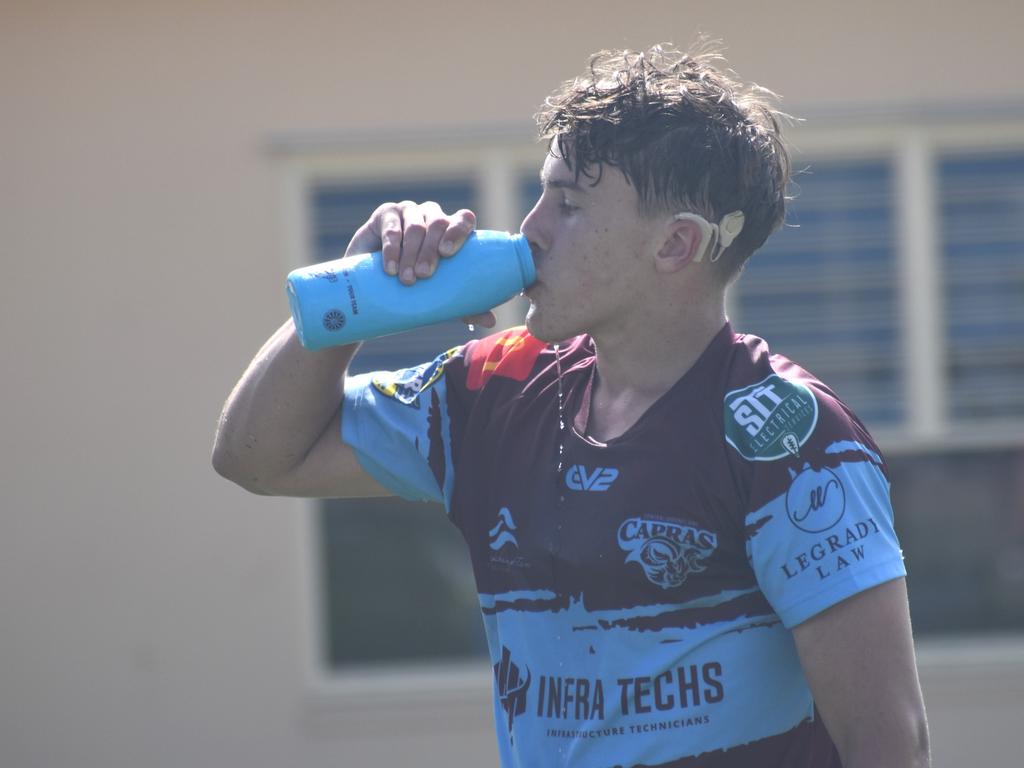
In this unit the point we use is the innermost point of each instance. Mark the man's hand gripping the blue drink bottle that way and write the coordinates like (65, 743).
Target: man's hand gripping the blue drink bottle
(413, 238)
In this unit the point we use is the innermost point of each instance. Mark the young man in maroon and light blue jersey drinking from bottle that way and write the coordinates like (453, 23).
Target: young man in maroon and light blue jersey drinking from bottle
(682, 543)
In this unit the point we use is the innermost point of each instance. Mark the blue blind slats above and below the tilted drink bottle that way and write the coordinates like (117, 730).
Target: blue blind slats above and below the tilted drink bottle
(337, 211)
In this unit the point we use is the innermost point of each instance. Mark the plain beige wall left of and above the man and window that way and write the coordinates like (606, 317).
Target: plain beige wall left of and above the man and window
(152, 614)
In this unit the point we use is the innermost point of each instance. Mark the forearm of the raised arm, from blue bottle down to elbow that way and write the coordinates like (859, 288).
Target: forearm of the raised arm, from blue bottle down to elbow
(282, 405)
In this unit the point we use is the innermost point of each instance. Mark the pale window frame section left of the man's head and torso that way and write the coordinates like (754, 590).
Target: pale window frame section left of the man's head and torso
(495, 168)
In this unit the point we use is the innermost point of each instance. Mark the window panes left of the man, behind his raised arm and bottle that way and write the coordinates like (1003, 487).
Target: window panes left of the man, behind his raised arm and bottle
(397, 580)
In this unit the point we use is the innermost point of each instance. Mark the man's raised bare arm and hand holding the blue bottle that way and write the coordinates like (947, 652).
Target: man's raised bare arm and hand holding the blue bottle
(280, 434)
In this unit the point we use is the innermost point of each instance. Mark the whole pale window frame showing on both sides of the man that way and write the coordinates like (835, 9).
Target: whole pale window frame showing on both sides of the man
(497, 161)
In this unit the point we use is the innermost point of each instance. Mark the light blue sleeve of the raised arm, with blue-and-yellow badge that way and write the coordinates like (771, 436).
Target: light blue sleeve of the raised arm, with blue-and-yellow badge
(398, 423)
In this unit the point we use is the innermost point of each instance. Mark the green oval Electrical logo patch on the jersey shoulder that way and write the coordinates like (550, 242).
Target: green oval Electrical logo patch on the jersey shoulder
(772, 419)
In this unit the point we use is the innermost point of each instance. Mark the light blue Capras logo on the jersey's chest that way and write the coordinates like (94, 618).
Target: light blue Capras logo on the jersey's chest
(667, 551)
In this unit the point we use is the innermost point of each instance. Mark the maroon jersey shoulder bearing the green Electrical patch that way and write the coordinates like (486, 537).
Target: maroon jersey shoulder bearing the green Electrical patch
(775, 408)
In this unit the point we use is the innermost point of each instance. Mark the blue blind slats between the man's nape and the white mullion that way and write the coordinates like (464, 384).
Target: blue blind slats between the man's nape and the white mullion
(823, 291)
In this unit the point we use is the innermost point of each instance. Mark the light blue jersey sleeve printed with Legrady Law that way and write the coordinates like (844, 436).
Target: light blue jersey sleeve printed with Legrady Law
(828, 537)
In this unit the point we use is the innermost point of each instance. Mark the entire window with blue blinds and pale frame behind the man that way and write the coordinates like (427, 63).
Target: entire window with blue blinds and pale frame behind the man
(831, 291)
